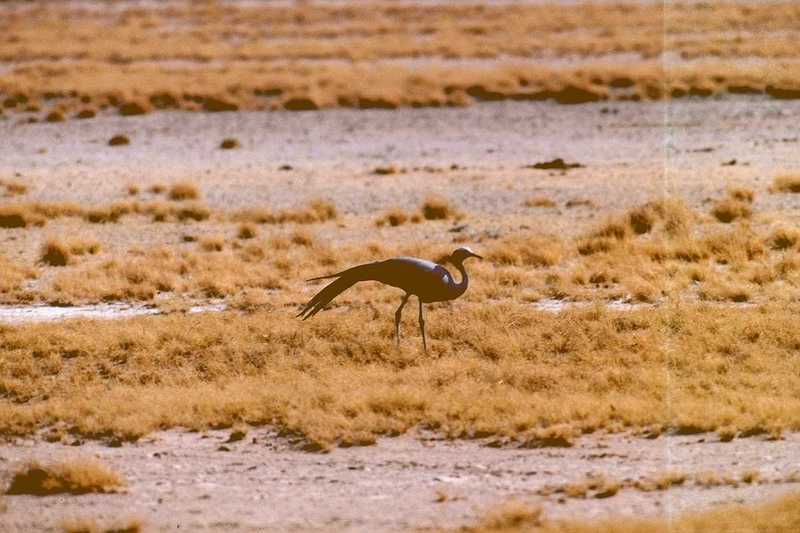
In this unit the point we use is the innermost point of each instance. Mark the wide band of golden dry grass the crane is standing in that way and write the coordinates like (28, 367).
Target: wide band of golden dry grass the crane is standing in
(503, 370)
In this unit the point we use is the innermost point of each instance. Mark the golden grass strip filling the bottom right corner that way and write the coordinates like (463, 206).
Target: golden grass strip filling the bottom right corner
(781, 515)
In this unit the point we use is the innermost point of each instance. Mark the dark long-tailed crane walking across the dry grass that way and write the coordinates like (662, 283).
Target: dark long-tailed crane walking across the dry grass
(428, 281)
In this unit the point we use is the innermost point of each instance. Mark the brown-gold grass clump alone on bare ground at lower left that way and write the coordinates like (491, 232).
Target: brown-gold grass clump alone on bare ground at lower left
(78, 476)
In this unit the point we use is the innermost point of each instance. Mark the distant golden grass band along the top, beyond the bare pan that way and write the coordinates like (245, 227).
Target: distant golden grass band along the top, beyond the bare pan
(131, 67)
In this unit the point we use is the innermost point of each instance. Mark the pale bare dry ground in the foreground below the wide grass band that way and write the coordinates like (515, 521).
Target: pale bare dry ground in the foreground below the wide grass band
(200, 481)
